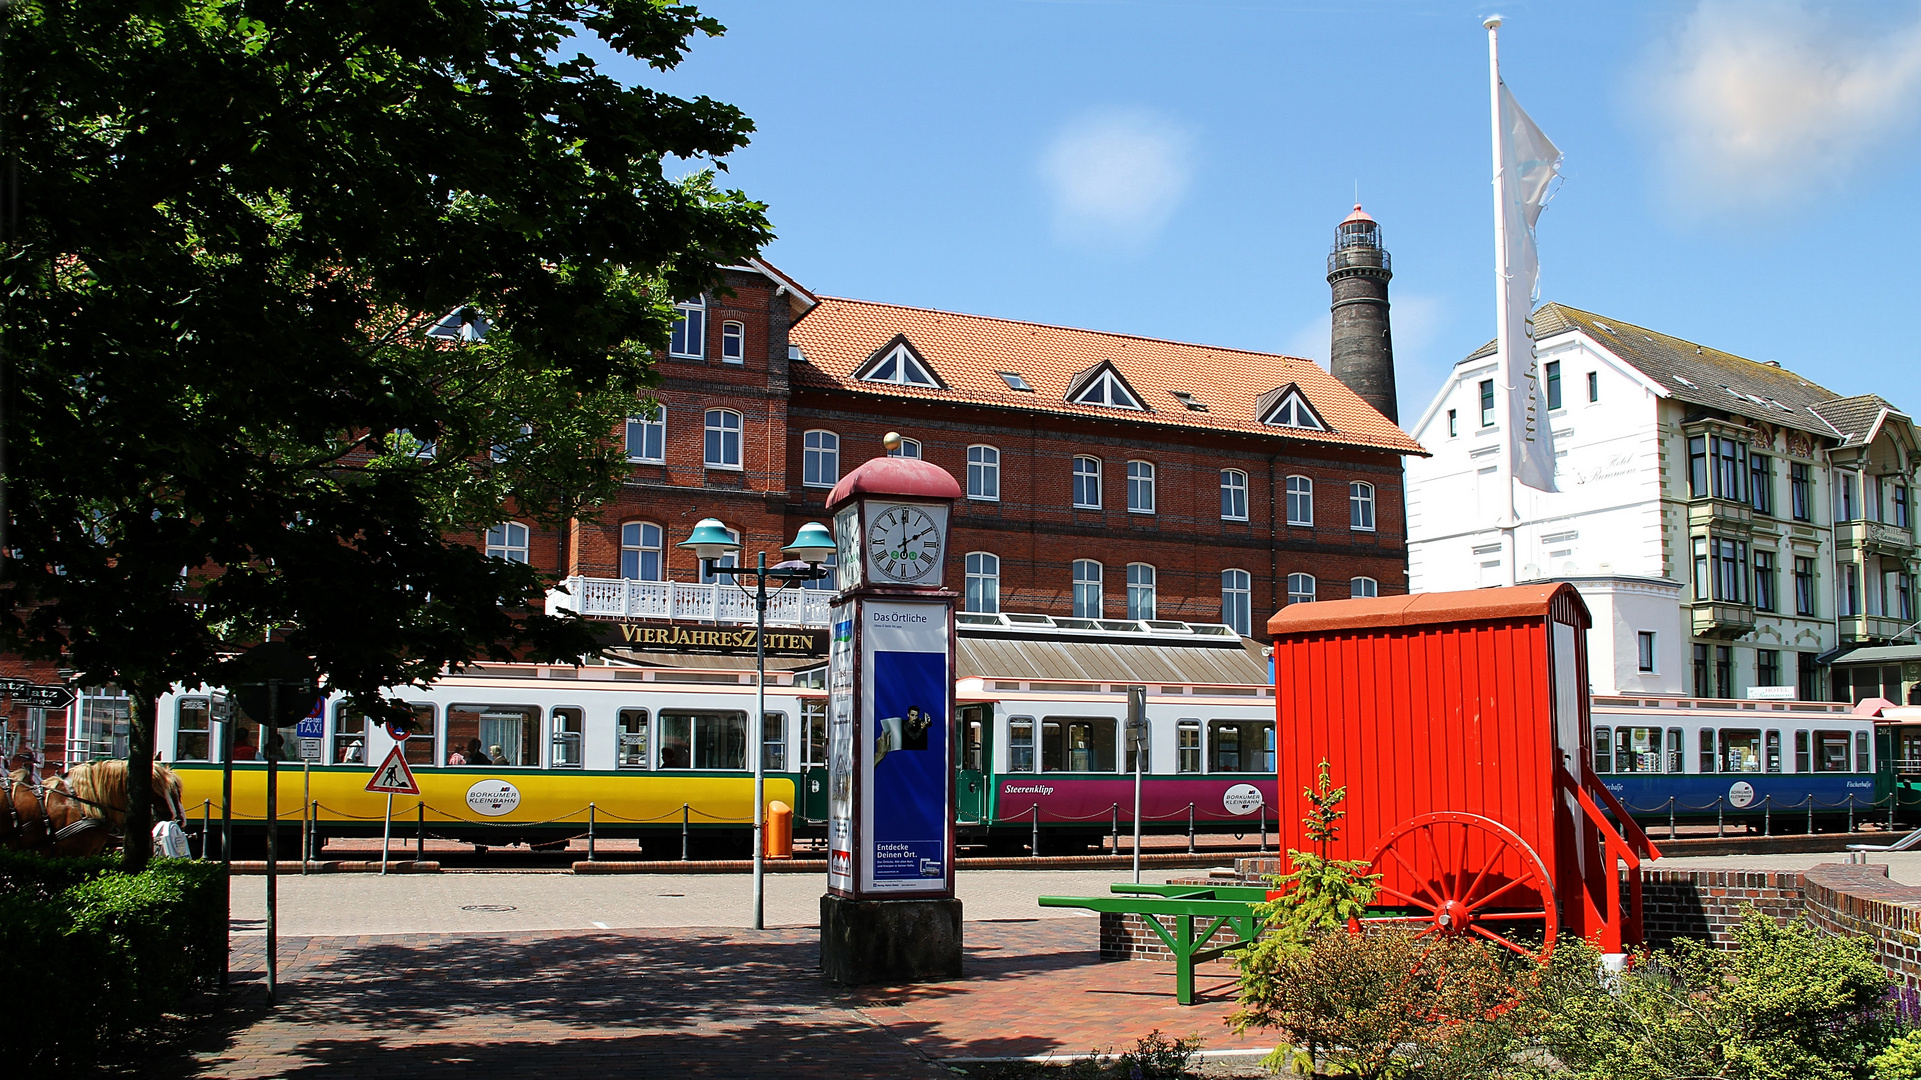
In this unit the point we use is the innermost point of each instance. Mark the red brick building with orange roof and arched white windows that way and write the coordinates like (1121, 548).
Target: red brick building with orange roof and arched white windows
(1107, 476)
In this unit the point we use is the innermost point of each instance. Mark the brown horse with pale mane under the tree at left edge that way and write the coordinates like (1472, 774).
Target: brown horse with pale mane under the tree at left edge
(80, 814)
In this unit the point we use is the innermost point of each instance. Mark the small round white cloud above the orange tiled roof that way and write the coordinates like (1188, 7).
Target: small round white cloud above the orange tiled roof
(1117, 176)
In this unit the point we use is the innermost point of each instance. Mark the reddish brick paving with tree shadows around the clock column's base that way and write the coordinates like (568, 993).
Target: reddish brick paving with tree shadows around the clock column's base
(691, 1002)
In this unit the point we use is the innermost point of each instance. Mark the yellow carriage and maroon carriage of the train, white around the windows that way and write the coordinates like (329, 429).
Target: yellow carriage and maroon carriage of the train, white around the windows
(658, 760)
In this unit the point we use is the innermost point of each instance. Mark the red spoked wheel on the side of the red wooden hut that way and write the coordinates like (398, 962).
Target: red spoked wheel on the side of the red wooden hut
(1467, 875)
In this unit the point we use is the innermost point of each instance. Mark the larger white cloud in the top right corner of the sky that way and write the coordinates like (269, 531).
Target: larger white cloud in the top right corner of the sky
(1770, 101)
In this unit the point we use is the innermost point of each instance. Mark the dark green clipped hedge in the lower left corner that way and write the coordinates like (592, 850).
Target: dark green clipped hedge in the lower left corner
(101, 956)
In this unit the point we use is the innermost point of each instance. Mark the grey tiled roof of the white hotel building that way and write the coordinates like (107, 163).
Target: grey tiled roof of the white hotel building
(1695, 374)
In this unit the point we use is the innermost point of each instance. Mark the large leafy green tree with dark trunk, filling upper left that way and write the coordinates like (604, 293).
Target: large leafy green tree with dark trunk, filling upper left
(235, 222)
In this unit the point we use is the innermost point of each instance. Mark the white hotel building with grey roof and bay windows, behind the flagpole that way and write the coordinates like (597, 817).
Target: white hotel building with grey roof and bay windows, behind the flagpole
(1728, 522)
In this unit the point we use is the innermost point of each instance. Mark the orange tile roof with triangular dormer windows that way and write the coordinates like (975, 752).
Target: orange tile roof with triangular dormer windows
(967, 353)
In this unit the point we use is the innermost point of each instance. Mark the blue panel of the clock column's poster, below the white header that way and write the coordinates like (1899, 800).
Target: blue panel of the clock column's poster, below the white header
(910, 768)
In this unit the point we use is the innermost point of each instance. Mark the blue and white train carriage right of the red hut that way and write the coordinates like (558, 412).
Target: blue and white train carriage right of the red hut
(1763, 764)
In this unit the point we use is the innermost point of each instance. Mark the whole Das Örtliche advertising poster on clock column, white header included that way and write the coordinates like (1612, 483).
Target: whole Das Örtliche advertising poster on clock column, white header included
(906, 739)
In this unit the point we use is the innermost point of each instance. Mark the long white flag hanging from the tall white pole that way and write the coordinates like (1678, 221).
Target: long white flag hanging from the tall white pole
(1528, 164)
